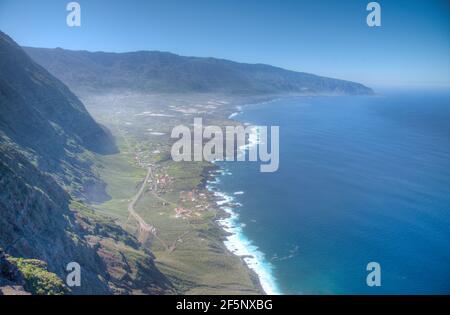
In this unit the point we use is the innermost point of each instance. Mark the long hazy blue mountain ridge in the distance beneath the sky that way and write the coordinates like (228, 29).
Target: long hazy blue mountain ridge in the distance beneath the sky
(162, 72)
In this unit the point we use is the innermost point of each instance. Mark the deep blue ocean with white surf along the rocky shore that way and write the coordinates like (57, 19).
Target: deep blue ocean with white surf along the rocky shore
(361, 179)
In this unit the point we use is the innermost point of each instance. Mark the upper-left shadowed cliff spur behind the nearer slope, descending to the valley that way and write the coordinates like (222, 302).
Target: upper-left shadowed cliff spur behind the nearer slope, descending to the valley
(41, 117)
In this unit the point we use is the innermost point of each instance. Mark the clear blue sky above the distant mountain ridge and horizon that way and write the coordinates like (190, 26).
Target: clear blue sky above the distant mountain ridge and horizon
(325, 37)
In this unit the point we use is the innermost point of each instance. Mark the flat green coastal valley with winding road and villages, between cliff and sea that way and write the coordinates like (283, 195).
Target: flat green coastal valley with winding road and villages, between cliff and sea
(162, 202)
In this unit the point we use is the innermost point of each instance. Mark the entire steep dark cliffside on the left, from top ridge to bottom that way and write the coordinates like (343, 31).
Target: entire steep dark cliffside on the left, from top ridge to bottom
(47, 141)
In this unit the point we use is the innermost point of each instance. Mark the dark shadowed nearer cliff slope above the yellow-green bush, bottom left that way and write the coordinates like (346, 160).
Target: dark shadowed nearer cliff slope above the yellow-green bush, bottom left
(36, 221)
